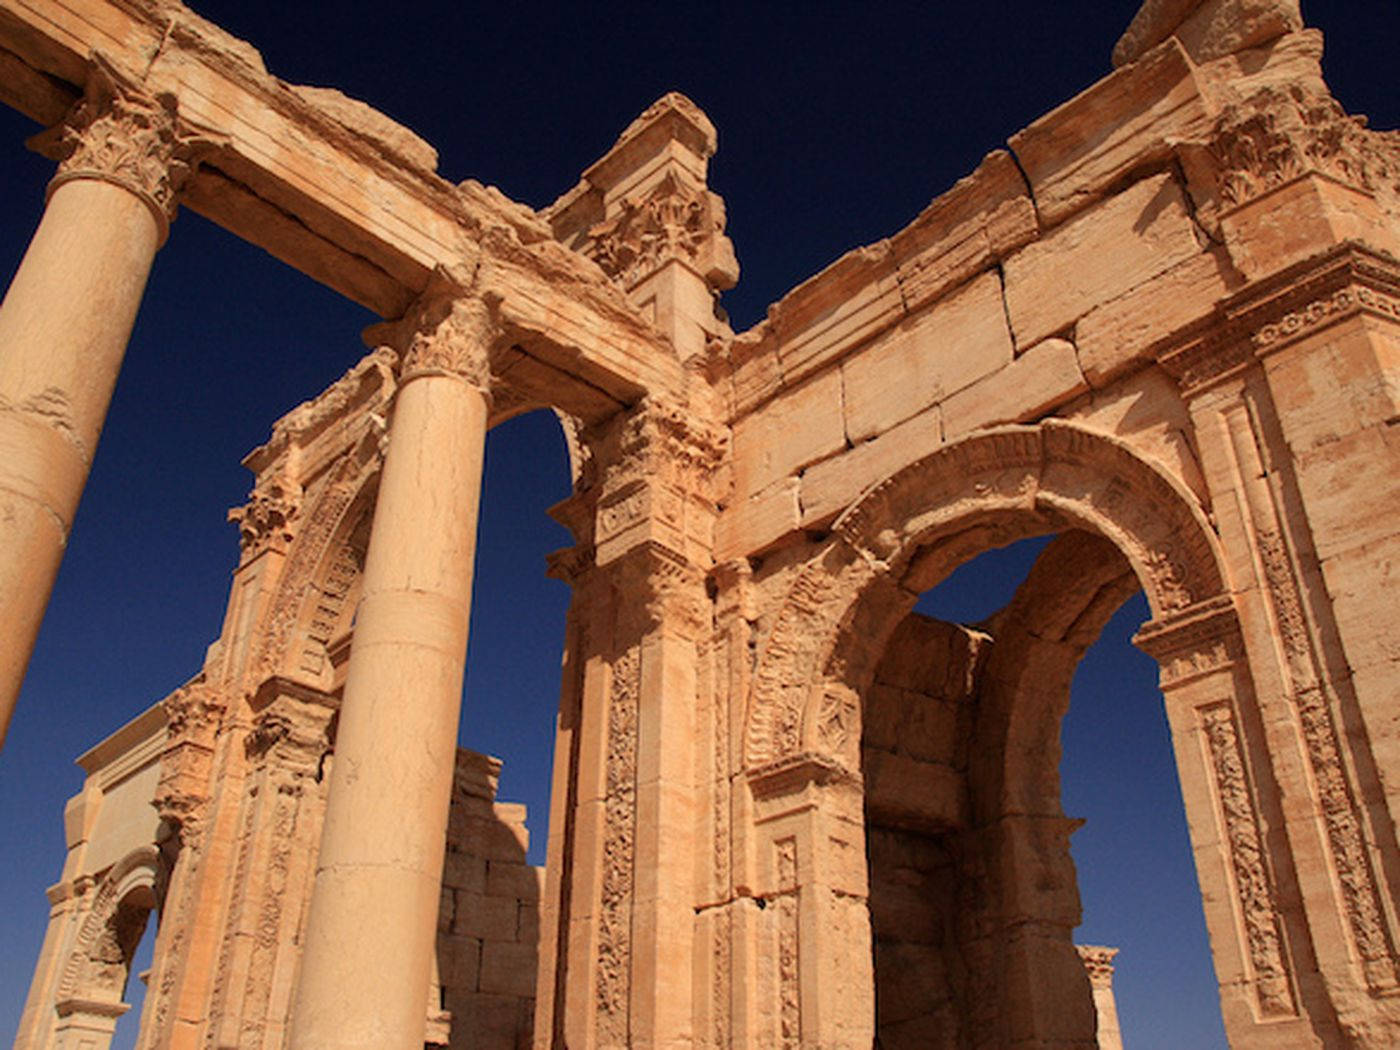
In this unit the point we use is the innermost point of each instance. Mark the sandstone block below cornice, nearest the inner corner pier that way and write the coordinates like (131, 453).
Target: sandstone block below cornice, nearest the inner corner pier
(797, 428)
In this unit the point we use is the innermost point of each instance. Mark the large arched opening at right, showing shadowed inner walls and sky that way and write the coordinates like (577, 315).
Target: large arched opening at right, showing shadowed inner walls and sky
(981, 764)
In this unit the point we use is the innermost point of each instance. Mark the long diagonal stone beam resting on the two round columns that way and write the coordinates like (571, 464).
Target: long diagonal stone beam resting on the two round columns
(341, 192)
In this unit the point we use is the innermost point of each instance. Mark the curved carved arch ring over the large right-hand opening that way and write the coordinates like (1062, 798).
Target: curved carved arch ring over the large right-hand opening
(902, 537)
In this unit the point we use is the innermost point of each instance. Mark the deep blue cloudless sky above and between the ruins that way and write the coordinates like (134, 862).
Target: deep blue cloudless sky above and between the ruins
(838, 124)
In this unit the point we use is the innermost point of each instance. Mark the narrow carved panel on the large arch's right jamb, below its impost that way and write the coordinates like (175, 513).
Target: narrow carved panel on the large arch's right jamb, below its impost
(1255, 892)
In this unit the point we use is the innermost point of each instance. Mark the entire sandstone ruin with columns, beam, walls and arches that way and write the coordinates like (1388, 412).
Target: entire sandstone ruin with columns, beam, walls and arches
(1163, 324)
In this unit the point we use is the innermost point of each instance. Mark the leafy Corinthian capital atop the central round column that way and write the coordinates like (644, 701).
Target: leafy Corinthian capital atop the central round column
(449, 331)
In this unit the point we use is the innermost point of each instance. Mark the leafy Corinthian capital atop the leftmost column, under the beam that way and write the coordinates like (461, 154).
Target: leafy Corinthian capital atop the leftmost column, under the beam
(122, 135)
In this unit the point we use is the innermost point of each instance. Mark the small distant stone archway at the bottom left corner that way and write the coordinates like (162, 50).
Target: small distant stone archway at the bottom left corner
(90, 995)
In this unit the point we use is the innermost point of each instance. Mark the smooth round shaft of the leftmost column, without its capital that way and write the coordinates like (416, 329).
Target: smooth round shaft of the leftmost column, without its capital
(64, 330)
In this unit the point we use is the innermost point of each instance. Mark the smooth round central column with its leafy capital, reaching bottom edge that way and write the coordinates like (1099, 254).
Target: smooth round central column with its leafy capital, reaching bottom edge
(374, 906)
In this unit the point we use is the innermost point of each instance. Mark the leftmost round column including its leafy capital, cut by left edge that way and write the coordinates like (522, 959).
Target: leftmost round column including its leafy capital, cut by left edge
(64, 330)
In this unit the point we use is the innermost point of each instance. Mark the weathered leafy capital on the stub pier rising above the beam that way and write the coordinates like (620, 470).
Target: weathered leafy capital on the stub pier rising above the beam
(671, 220)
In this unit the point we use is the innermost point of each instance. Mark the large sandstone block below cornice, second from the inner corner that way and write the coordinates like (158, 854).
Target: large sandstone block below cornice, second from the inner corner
(950, 346)
